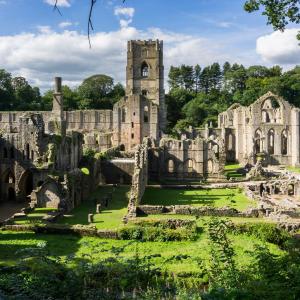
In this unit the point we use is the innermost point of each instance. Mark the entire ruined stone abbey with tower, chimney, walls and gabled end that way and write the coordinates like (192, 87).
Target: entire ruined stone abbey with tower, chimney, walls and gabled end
(41, 152)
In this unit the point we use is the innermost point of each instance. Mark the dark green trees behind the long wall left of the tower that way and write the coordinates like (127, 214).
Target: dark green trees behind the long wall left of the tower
(95, 92)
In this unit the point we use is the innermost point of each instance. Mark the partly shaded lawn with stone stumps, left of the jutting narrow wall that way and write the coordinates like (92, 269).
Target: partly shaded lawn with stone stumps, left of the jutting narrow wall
(109, 218)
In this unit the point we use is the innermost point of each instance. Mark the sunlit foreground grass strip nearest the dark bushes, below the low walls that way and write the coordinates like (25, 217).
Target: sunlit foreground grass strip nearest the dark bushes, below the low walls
(97, 249)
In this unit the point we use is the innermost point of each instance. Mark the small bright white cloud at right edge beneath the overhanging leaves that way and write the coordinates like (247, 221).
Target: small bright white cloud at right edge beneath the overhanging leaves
(279, 47)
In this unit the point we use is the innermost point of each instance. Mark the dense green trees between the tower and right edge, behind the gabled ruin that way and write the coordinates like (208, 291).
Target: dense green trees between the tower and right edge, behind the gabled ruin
(197, 97)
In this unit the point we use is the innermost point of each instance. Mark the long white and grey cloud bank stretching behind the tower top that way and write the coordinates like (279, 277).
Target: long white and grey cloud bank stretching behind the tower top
(41, 56)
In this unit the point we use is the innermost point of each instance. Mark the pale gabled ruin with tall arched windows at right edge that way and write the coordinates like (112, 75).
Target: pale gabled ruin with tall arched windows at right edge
(269, 126)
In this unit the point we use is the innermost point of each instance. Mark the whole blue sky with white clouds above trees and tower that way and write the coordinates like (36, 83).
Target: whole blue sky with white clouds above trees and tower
(38, 43)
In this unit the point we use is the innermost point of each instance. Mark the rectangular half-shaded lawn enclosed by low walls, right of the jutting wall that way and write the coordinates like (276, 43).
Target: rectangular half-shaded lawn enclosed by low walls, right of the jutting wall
(202, 197)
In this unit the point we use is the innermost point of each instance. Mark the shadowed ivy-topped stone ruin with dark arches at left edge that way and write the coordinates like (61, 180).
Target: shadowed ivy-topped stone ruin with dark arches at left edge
(29, 156)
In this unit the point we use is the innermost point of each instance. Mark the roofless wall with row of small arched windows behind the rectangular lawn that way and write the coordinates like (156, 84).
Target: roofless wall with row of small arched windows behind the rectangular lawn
(187, 159)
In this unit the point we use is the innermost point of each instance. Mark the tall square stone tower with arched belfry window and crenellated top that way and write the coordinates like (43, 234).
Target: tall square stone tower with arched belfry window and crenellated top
(142, 112)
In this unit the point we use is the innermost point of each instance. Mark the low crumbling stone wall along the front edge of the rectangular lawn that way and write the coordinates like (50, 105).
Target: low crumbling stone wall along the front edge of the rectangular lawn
(199, 211)
